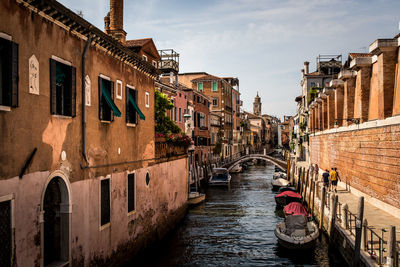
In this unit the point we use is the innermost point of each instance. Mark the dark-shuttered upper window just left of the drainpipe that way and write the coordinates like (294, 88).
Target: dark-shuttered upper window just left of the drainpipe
(62, 88)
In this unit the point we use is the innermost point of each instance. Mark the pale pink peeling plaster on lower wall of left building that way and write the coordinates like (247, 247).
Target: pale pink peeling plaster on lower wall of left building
(159, 207)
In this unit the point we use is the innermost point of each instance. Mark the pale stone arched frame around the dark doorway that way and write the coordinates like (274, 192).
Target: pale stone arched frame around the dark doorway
(65, 213)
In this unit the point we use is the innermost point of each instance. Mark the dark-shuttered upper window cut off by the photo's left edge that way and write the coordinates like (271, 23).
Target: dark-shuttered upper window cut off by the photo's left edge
(8, 73)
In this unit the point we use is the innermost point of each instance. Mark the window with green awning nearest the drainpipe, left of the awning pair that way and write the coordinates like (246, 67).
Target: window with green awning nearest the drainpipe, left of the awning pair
(107, 107)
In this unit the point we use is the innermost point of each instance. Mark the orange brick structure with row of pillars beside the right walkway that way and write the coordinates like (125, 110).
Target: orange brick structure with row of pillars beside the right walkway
(357, 124)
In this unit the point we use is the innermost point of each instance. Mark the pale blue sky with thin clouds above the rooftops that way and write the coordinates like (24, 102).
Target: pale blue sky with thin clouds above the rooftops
(262, 42)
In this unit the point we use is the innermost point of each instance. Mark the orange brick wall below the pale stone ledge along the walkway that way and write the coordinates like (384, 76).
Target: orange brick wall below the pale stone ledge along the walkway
(367, 159)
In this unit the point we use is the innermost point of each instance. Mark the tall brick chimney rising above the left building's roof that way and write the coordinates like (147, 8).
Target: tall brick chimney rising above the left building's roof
(114, 21)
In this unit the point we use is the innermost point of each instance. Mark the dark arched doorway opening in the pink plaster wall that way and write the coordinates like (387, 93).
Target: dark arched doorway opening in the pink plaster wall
(56, 223)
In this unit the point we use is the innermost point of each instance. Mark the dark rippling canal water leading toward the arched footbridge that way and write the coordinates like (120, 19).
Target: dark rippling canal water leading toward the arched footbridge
(235, 226)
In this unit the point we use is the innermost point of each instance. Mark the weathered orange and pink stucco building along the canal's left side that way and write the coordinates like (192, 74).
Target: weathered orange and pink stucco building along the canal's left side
(81, 181)
